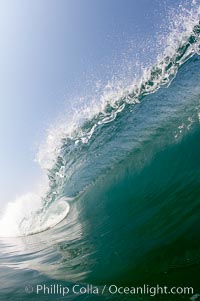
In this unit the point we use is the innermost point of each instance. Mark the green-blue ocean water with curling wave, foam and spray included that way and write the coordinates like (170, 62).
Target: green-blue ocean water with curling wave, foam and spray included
(122, 200)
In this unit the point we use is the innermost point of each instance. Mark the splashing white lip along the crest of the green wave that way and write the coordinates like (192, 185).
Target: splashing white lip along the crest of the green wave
(182, 43)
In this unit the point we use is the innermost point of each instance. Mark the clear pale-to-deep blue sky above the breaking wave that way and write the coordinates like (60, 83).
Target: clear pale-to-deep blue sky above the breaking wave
(52, 52)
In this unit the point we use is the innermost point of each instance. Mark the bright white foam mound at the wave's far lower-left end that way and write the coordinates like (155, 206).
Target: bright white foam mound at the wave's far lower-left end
(25, 216)
